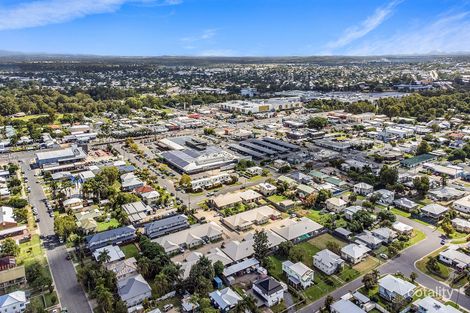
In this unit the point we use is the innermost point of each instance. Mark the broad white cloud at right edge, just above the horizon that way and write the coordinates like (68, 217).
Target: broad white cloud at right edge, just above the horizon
(447, 33)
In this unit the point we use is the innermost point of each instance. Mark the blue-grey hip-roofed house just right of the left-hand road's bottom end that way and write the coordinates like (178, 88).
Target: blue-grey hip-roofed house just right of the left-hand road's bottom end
(134, 290)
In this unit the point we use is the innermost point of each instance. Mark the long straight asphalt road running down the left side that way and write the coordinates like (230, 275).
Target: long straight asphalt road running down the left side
(70, 292)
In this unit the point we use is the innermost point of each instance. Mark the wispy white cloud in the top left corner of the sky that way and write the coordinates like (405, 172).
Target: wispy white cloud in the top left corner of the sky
(45, 12)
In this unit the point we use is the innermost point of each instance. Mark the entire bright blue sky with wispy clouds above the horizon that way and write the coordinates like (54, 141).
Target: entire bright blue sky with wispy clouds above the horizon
(235, 27)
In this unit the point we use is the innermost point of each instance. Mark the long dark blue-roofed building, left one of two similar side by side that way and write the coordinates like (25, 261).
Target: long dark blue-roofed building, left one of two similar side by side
(110, 237)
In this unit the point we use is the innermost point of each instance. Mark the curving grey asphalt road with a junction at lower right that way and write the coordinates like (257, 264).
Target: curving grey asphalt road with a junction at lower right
(405, 264)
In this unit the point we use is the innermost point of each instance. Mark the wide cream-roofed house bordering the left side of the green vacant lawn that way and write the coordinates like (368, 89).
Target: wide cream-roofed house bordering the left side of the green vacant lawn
(298, 230)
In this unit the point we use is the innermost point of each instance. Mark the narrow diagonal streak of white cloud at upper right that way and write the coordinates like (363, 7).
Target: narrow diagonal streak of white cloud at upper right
(369, 24)
